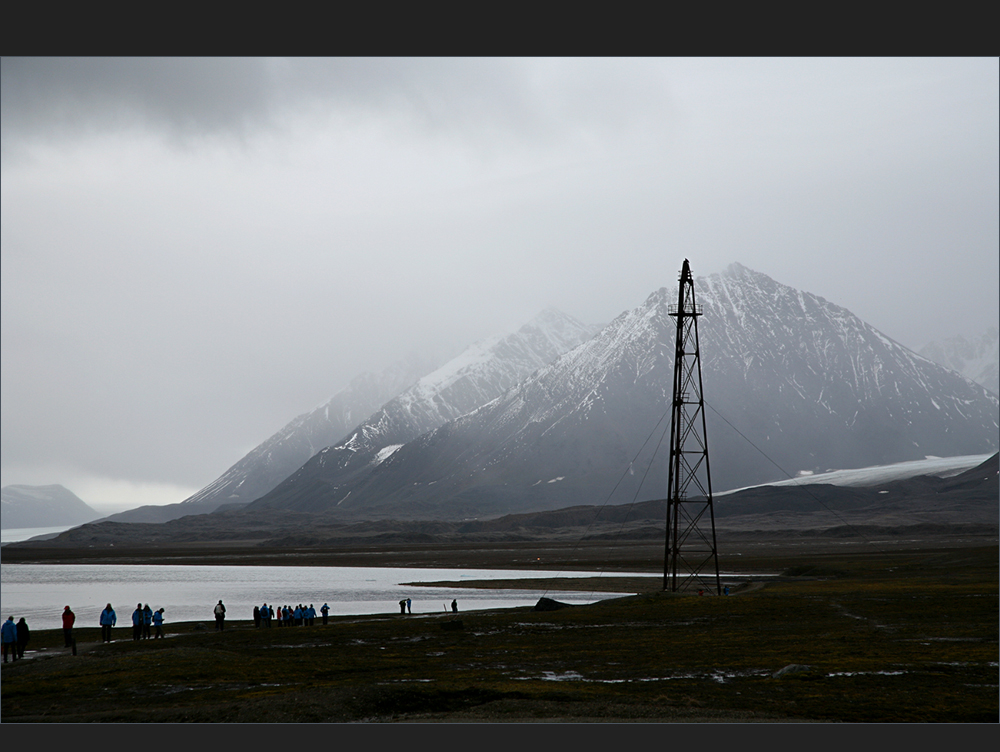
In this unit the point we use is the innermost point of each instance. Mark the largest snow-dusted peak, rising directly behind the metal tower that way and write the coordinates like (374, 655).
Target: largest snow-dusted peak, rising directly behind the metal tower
(792, 382)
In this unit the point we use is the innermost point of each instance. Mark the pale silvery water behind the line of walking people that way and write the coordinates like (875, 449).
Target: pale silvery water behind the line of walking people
(38, 592)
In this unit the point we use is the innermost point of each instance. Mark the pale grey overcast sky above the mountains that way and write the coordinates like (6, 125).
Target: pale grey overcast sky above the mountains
(194, 251)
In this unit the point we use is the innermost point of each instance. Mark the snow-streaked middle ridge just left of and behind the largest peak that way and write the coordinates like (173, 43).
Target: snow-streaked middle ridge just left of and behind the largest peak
(482, 373)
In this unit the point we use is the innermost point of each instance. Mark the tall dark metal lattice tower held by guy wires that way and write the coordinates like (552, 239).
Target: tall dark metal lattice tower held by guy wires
(691, 558)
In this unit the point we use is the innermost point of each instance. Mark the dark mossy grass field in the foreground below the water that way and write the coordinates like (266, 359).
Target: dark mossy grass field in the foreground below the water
(901, 636)
